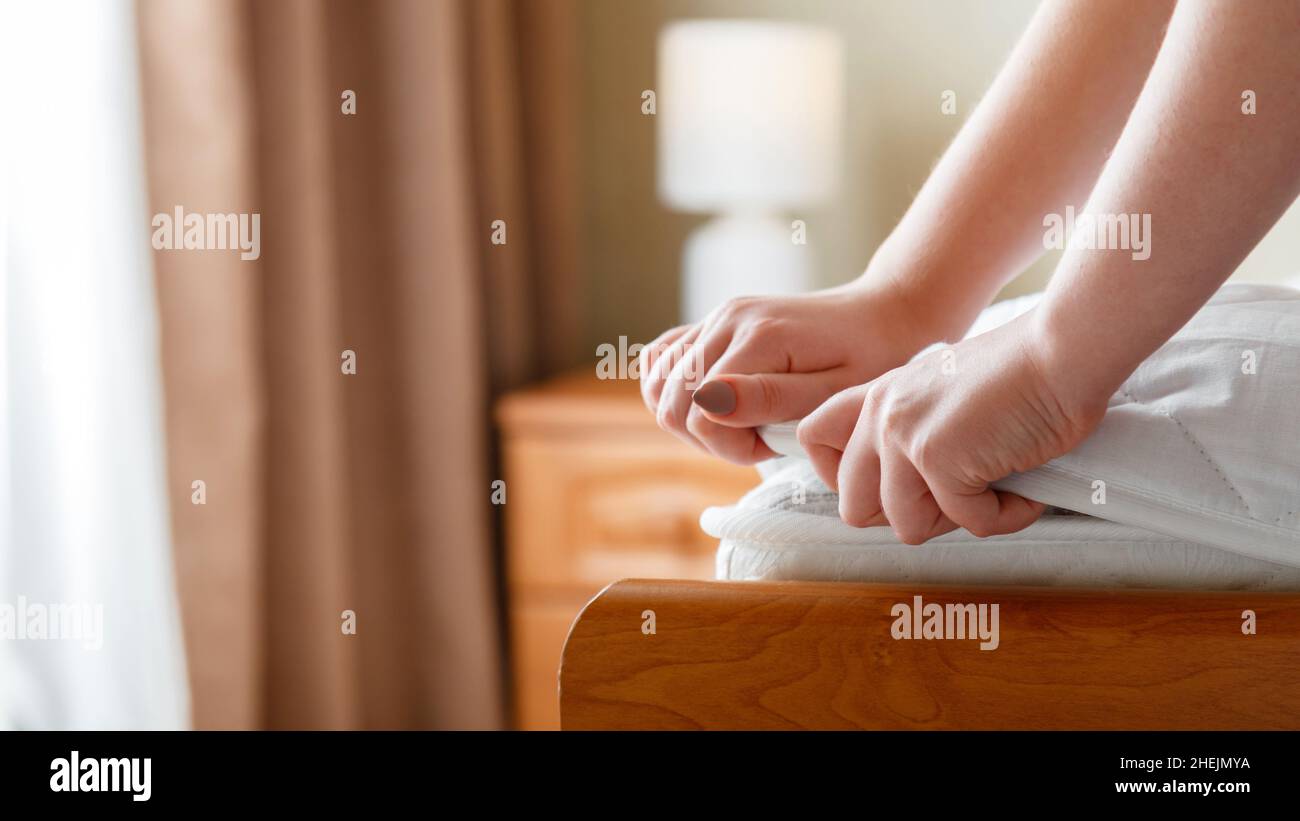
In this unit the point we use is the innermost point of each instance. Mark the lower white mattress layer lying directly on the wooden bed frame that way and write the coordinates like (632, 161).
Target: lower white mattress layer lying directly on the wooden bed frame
(788, 528)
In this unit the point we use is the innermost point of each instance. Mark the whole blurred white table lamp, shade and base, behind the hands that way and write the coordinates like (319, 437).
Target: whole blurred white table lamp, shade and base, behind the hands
(749, 116)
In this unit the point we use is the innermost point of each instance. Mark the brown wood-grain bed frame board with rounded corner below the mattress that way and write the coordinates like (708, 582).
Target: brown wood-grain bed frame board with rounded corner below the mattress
(821, 655)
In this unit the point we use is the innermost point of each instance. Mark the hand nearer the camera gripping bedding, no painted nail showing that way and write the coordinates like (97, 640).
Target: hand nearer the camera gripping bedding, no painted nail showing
(918, 448)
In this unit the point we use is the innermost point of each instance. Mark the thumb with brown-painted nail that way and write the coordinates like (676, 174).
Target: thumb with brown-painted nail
(748, 401)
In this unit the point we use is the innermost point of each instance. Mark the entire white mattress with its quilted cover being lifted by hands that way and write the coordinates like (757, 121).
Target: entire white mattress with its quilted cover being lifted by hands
(1202, 464)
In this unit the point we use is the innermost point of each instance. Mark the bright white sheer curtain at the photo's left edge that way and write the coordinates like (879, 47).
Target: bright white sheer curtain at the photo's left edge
(83, 481)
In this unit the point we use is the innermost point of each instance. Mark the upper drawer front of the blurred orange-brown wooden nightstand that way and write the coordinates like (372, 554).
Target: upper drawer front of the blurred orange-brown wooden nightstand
(591, 511)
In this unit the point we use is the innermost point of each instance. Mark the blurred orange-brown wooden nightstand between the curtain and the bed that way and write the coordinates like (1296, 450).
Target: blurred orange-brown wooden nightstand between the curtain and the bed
(595, 493)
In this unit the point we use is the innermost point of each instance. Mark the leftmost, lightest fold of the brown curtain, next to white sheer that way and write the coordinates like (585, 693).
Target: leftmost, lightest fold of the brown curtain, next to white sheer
(197, 84)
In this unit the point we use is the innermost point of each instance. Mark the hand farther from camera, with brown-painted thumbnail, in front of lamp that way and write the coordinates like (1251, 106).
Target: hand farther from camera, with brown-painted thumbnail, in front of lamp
(772, 359)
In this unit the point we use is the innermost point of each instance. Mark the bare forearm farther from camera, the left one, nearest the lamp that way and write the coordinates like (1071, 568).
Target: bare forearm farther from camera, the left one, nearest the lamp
(1035, 144)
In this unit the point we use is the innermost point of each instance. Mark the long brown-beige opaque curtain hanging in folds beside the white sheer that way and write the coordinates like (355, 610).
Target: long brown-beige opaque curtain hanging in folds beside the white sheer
(369, 493)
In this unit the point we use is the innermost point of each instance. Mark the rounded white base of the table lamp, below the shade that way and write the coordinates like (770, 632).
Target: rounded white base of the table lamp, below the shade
(742, 255)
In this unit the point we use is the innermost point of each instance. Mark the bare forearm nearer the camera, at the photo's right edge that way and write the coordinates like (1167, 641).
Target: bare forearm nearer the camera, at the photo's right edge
(1212, 179)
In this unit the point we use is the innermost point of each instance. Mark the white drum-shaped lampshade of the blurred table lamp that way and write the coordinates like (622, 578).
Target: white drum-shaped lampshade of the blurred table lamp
(749, 115)
